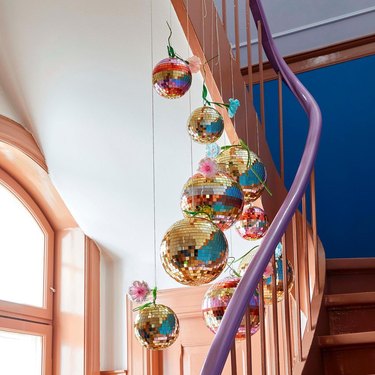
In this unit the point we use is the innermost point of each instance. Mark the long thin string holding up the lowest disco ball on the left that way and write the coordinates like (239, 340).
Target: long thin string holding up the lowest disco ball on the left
(153, 144)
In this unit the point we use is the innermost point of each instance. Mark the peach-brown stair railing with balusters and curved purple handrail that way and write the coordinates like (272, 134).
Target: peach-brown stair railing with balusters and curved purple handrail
(288, 328)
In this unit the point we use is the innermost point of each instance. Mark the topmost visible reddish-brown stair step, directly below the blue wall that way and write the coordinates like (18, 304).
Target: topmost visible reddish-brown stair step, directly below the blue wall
(350, 275)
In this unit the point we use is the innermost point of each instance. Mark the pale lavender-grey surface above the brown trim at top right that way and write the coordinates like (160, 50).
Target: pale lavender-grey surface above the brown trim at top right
(306, 24)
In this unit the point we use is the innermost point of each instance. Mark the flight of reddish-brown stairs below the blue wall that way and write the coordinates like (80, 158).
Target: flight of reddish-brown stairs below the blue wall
(349, 348)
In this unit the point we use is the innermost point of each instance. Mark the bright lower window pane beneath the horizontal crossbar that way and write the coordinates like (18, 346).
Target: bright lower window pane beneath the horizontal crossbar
(20, 354)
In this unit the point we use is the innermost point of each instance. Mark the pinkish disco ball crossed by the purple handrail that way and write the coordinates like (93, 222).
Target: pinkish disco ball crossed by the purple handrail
(215, 303)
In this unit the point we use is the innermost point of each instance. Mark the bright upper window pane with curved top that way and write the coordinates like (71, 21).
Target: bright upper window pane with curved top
(21, 253)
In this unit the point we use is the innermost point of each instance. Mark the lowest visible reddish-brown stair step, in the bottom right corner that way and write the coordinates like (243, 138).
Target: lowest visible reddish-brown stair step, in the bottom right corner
(349, 354)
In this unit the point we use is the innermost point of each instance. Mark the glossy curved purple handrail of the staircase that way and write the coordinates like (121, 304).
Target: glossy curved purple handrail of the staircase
(225, 336)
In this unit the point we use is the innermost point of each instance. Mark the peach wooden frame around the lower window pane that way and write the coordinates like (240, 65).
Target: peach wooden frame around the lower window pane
(35, 329)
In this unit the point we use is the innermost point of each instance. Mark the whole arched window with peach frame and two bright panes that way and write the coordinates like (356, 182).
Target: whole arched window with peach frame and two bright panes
(26, 277)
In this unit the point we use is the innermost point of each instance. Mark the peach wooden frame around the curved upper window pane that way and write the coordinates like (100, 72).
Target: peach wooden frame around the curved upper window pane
(15, 310)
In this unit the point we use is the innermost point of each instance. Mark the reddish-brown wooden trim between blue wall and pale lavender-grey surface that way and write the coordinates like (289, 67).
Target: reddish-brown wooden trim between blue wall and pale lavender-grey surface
(320, 57)
